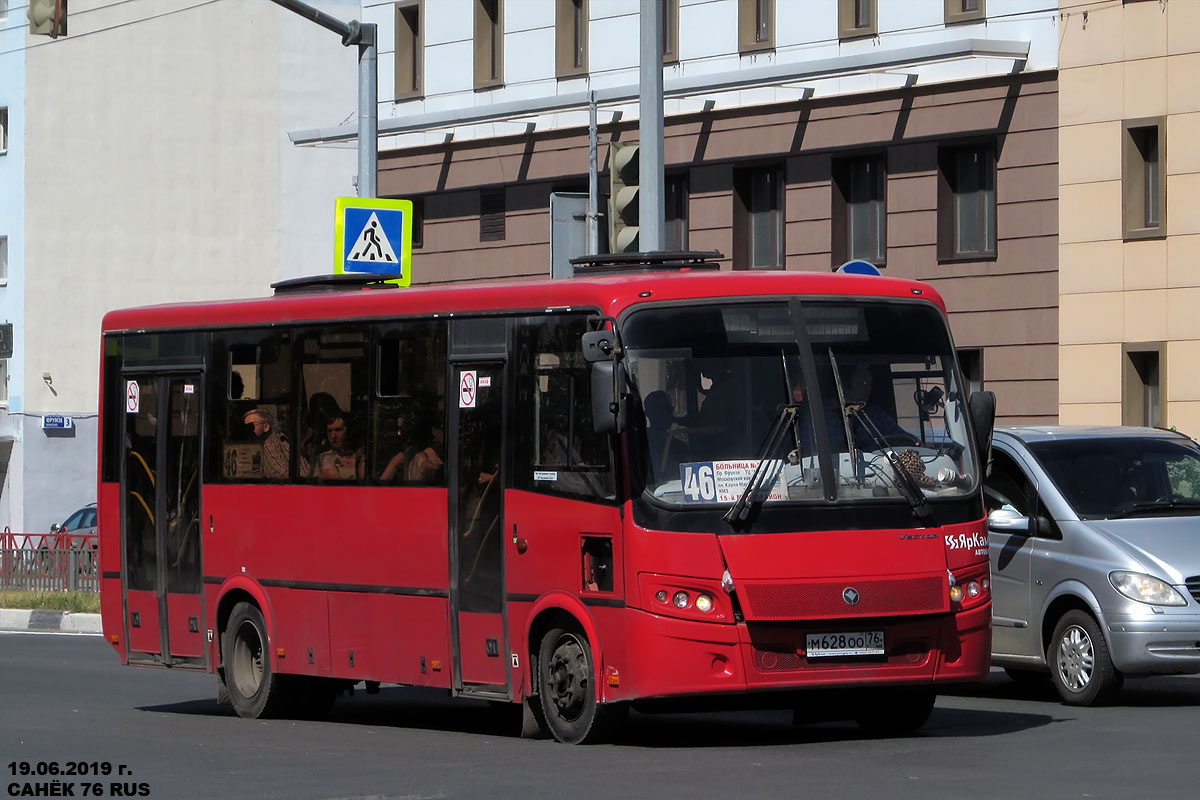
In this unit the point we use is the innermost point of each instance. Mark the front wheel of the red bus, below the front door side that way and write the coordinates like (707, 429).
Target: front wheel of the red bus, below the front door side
(567, 690)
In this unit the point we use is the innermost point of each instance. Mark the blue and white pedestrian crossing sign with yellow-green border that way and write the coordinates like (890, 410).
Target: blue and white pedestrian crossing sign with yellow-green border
(375, 236)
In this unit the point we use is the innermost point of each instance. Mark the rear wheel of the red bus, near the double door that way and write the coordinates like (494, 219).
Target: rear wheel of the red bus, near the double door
(255, 689)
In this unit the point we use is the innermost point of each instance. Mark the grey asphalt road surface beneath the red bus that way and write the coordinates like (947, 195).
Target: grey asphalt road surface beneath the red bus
(65, 699)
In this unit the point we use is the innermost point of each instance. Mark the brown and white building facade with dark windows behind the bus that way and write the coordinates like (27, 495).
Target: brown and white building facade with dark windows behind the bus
(920, 136)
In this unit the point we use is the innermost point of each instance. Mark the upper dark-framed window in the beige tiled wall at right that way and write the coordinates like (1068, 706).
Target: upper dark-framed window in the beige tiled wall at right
(1143, 182)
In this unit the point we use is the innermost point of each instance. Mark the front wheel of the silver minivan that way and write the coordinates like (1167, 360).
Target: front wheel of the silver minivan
(1081, 666)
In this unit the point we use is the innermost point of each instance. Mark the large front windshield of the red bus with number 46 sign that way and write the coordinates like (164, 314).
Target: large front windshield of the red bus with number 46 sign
(868, 390)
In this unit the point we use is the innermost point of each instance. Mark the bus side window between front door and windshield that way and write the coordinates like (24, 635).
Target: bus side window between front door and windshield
(556, 449)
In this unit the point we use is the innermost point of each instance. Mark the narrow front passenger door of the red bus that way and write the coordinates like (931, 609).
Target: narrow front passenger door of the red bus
(477, 531)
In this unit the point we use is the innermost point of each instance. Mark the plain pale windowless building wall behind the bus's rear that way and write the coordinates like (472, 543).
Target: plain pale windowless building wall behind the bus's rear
(153, 146)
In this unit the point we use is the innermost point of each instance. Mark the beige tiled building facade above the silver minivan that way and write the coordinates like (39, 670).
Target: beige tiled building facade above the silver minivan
(1130, 252)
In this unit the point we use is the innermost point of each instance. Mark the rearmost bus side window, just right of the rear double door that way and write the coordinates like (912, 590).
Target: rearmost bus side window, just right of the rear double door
(253, 407)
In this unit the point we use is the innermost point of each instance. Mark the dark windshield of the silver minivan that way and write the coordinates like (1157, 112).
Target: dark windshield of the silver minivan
(1113, 478)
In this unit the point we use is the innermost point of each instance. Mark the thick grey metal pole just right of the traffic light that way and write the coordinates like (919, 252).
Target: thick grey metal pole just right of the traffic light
(652, 203)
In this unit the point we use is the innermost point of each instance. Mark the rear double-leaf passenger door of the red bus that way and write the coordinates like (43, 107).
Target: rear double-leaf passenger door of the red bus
(161, 519)
